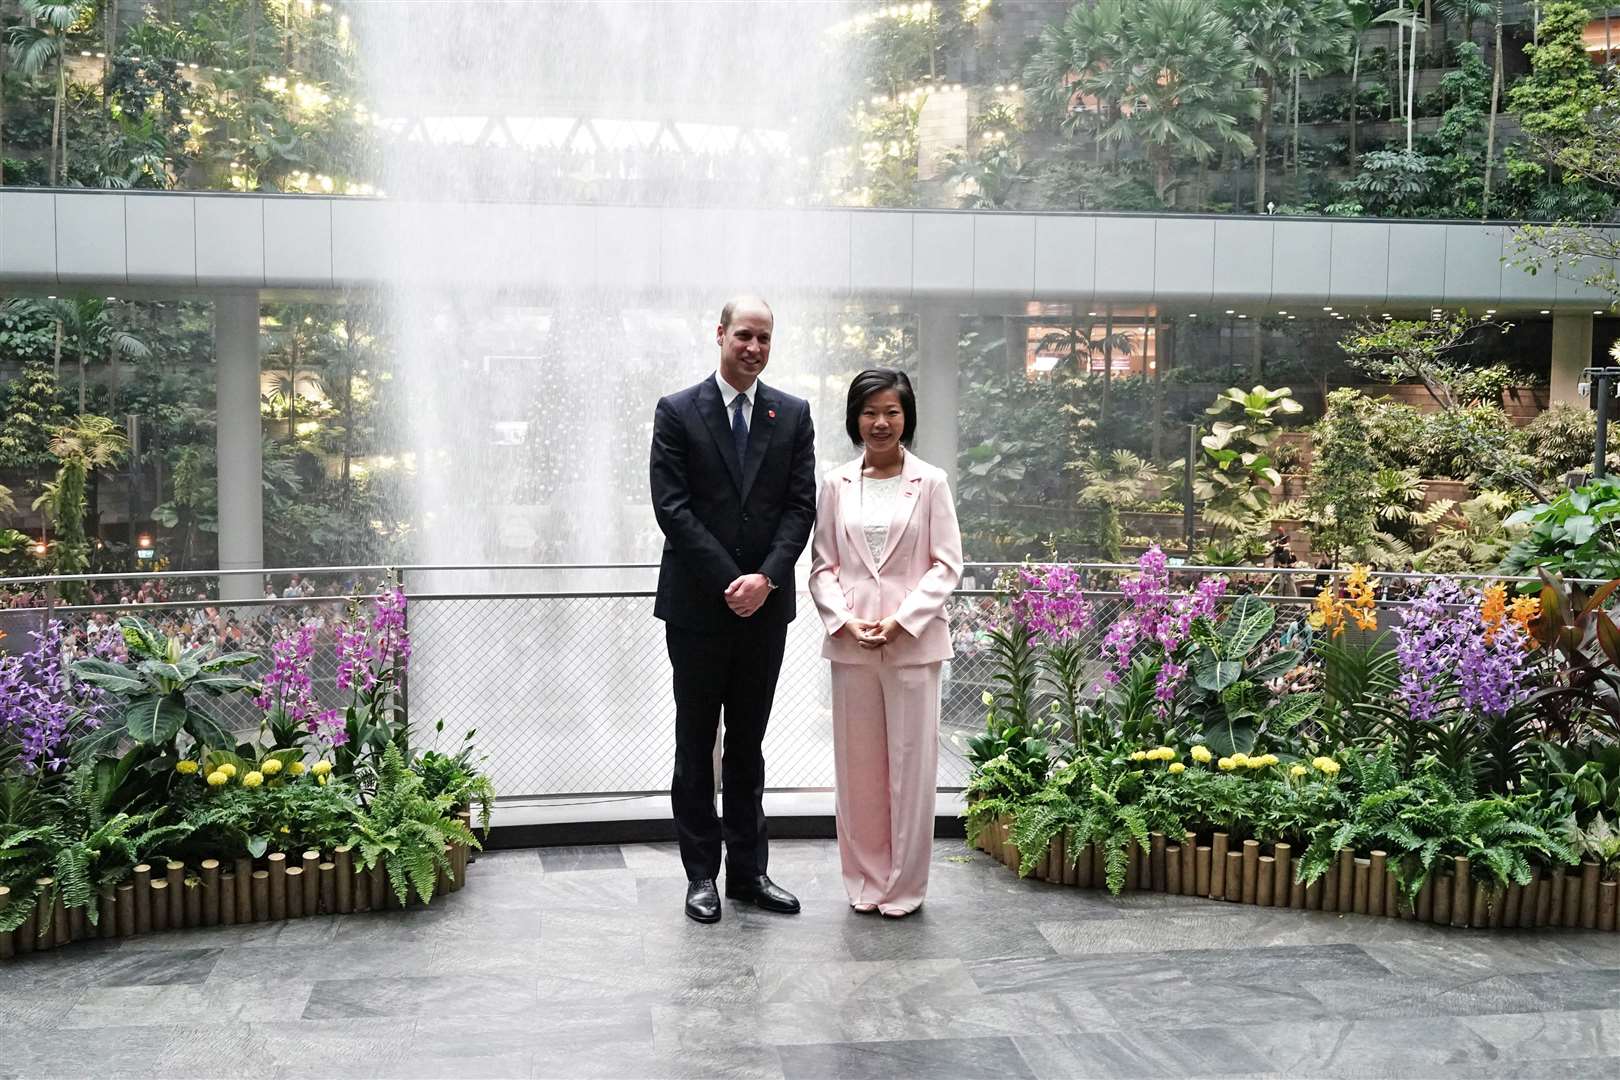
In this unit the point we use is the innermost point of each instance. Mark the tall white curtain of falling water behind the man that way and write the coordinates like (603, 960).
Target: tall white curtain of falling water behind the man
(531, 410)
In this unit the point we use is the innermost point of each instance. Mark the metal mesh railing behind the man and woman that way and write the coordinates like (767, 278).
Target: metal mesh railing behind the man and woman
(571, 691)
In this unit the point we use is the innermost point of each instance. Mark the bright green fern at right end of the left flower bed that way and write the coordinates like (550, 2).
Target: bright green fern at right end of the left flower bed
(407, 830)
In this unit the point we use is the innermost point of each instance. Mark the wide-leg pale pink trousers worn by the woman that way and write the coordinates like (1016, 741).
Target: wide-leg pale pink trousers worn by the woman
(887, 759)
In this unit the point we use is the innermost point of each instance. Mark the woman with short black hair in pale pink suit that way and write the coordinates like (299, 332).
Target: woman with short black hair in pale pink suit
(885, 559)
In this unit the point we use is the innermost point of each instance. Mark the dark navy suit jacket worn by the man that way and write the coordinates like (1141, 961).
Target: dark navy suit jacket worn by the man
(723, 517)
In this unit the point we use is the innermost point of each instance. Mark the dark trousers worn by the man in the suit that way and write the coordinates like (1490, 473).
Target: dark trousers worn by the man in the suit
(731, 673)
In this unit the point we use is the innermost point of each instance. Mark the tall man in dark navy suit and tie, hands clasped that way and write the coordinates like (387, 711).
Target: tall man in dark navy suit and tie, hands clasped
(735, 493)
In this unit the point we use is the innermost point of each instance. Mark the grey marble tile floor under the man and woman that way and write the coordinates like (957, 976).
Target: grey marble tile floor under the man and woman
(578, 963)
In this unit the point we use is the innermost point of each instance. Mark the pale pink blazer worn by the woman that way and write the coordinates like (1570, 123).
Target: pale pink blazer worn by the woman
(911, 580)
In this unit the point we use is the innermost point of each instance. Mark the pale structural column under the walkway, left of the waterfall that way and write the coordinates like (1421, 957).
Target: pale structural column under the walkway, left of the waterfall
(239, 443)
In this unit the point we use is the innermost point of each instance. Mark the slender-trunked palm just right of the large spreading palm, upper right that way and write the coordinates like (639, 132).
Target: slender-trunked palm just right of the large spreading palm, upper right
(1285, 40)
